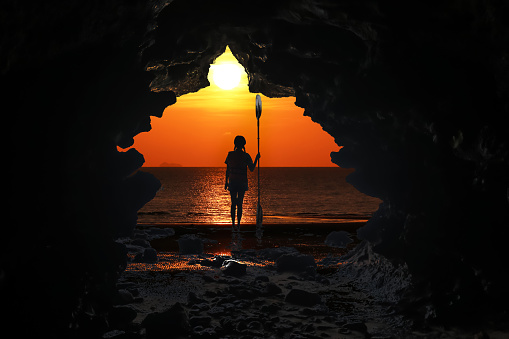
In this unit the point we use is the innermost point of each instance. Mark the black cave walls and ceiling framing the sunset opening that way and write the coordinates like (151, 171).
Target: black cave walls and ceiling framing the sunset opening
(415, 92)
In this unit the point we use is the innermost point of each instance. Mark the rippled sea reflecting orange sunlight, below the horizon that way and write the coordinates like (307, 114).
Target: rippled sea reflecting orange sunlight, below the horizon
(288, 195)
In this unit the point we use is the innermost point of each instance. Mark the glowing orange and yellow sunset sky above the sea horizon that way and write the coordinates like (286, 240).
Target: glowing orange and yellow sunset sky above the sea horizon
(198, 130)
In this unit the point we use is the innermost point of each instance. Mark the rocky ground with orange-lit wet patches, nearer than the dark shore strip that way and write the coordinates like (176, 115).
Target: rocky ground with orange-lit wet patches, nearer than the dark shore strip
(254, 293)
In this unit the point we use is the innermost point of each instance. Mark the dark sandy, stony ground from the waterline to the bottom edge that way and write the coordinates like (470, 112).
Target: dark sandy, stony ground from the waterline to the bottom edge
(261, 296)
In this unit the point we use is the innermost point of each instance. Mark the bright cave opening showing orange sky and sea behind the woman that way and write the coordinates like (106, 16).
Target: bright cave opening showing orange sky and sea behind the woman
(188, 129)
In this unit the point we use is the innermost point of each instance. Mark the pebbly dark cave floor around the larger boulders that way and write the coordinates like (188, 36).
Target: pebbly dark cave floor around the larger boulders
(222, 306)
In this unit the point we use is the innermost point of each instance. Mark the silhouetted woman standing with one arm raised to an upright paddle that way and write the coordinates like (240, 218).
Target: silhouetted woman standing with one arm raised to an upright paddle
(237, 162)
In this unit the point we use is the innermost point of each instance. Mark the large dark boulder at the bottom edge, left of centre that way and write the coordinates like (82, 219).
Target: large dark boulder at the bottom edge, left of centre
(168, 324)
